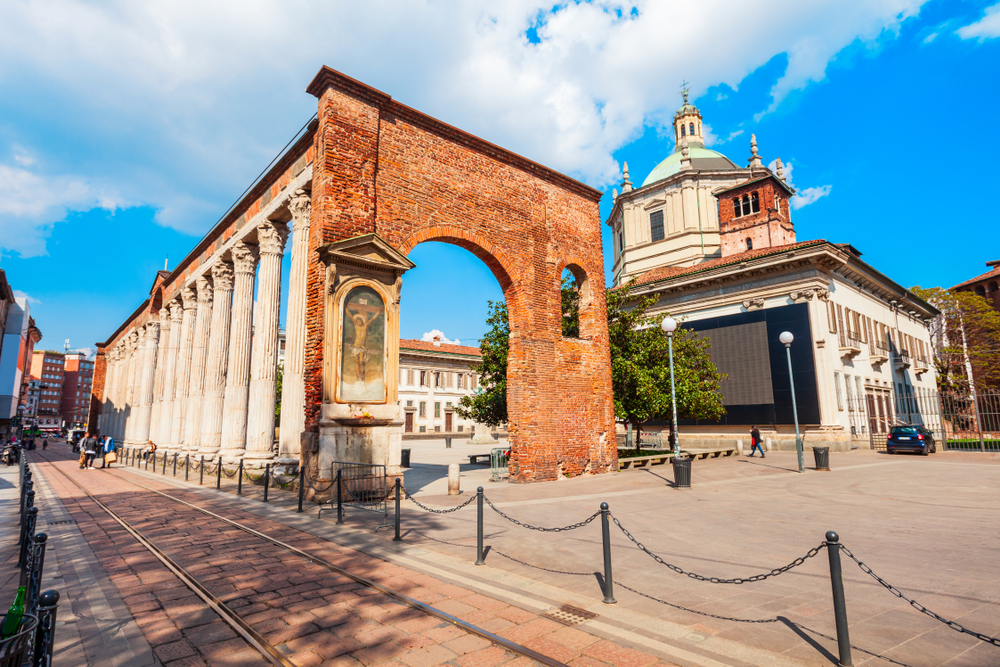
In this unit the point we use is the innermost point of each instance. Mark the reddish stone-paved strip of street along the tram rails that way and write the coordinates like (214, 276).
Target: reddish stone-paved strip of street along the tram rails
(313, 615)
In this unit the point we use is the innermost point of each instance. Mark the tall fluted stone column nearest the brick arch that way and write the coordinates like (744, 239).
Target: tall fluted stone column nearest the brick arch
(293, 396)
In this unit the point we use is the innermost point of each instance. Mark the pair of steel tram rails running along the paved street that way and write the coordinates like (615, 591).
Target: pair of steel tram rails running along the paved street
(254, 638)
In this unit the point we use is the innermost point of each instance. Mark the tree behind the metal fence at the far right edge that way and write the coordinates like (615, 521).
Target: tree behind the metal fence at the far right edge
(965, 338)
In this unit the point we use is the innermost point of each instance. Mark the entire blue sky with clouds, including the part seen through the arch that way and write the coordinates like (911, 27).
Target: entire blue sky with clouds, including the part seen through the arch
(127, 129)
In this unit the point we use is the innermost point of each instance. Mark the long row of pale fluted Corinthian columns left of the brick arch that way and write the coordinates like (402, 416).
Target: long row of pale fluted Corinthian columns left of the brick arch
(199, 376)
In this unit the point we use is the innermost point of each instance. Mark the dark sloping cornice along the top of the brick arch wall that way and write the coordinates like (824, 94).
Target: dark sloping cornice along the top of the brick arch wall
(331, 78)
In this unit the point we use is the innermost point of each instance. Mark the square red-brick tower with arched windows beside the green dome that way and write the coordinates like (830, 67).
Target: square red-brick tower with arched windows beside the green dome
(768, 228)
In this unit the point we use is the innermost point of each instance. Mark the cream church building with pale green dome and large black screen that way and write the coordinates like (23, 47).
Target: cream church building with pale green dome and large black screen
(716, 243)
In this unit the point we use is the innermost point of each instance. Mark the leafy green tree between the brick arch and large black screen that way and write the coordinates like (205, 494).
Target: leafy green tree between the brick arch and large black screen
(640, 365)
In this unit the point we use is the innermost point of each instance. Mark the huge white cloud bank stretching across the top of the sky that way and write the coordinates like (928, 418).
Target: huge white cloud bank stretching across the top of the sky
(179, 103)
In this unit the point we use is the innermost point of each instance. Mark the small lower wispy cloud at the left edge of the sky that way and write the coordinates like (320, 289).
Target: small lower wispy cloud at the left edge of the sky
(31, 201)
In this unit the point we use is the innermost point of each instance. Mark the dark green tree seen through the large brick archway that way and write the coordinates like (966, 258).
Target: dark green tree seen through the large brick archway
(489, 404)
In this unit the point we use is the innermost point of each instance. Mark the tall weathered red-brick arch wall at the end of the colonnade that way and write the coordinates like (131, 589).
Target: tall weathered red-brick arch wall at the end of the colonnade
(383, 168)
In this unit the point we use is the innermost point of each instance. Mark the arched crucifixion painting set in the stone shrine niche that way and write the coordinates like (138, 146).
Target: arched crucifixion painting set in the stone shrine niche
(362, 366)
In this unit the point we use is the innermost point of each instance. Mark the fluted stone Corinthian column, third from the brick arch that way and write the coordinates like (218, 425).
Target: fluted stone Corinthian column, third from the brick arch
(234, 416)
